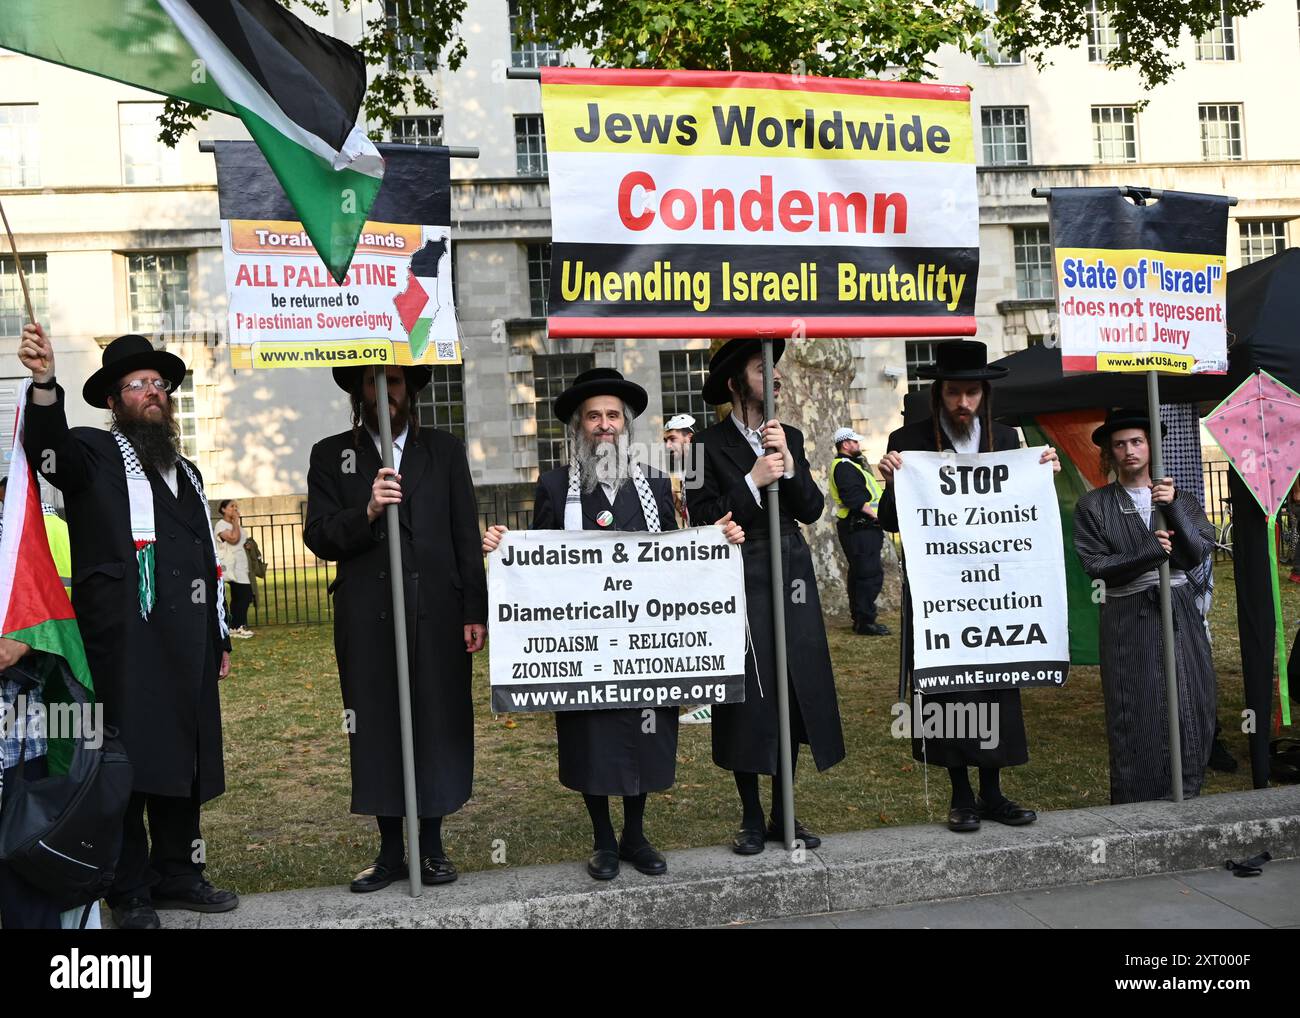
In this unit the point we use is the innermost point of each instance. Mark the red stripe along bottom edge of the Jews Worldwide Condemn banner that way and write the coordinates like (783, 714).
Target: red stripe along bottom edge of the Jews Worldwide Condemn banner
(723, 328)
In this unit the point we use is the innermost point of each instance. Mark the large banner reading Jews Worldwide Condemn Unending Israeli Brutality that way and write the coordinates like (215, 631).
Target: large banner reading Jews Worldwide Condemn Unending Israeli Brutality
(701, 203)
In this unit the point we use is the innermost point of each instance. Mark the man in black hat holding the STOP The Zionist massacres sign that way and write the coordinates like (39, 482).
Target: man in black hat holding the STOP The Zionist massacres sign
(961, 421)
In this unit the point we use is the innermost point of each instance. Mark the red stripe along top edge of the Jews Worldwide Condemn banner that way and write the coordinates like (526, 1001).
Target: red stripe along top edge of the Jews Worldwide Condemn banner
(645, 79)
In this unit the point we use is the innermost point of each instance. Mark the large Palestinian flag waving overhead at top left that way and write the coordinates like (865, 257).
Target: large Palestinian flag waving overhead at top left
(297, 92)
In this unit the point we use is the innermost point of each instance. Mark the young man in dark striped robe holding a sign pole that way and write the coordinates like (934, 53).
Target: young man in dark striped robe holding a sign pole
(1117, 544)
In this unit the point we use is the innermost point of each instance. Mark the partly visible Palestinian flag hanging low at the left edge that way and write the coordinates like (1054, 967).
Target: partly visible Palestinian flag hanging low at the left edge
(34, 608)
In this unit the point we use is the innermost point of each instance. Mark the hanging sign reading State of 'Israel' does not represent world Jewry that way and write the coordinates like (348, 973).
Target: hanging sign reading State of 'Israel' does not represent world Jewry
(1141, 288)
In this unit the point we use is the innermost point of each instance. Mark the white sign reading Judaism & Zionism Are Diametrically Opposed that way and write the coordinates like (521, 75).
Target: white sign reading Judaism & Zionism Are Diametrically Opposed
(590, 621)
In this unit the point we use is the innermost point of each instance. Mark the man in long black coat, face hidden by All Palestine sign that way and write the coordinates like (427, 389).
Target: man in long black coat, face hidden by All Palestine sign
(447, 609)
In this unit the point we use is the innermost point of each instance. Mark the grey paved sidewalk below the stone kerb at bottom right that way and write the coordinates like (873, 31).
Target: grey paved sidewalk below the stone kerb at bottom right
(1199, 900)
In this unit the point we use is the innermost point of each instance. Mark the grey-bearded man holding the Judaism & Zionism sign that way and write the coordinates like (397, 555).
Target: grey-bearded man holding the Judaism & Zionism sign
(610, 752)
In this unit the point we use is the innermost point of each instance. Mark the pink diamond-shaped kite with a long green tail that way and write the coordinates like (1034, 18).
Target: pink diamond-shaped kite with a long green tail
(1259, 428)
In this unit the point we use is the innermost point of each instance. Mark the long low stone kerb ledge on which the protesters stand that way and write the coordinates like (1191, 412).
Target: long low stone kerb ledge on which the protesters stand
(1037, 874)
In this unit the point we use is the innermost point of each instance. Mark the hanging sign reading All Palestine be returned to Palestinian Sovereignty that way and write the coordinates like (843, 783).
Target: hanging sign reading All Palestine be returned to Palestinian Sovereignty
(396, 304)
